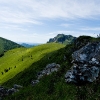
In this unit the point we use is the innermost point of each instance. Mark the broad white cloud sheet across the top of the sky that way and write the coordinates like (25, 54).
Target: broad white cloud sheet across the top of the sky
(33, 11)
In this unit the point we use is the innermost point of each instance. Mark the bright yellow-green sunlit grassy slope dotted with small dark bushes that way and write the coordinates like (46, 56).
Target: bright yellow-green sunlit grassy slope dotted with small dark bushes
(19, 59)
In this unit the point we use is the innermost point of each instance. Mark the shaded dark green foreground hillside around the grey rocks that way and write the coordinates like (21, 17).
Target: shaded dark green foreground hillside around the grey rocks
(53, 86)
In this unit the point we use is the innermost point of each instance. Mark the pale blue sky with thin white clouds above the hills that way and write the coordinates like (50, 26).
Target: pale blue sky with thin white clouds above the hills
(36, 21)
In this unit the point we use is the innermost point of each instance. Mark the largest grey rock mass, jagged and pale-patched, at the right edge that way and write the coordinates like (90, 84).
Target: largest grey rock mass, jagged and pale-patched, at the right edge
(86, 64)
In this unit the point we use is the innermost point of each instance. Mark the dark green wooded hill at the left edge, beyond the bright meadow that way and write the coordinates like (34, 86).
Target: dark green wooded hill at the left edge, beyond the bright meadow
(6, 45)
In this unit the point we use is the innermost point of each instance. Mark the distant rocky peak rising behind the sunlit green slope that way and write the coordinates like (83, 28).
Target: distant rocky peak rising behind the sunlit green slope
(62, 38)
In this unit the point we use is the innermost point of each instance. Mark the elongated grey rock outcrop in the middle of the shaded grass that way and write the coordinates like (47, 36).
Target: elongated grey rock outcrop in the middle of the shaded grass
(53, 67)
